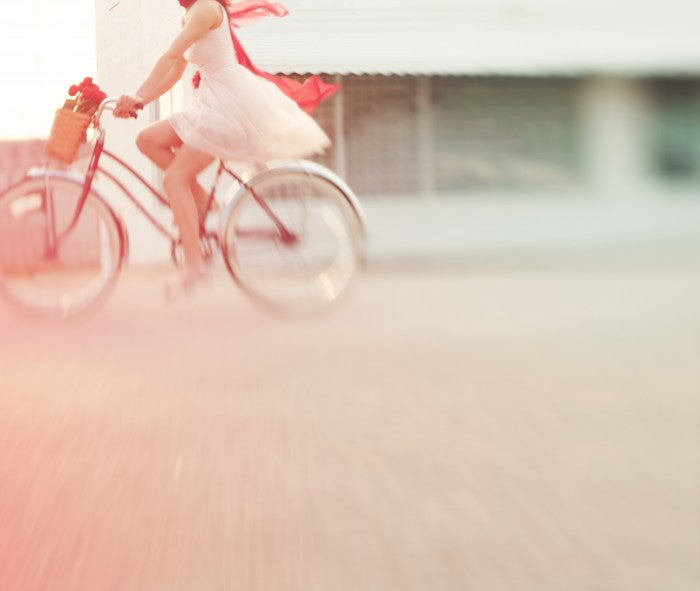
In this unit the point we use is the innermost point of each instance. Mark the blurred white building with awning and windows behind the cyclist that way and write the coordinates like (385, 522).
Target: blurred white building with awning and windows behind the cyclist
(474, 126)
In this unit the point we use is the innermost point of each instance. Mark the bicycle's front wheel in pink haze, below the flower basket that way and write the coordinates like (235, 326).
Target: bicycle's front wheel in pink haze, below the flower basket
(52, 263)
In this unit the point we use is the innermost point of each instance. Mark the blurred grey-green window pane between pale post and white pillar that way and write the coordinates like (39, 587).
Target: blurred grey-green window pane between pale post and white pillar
(504, 132)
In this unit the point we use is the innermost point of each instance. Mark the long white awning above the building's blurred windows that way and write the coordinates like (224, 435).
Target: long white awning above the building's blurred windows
(481, 37)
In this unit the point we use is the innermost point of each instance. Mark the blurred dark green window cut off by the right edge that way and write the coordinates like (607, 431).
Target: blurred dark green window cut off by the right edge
(676, 150)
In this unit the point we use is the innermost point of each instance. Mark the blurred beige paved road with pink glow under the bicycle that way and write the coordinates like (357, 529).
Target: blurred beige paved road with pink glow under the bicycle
(475, 429)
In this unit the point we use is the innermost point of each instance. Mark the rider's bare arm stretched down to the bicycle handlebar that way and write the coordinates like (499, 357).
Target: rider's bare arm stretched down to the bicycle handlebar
(203, 16)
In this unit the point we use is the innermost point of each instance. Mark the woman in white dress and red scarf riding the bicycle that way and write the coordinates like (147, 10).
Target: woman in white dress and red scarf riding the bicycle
(239, 113)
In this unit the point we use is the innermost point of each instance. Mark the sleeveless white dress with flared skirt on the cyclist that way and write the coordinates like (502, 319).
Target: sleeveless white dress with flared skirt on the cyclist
(237, 115)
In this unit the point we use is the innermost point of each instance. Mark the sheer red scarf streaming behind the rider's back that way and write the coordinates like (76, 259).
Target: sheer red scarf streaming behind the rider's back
(307, 94)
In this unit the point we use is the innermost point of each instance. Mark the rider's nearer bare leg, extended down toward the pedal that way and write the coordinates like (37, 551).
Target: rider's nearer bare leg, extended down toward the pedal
(177, 181)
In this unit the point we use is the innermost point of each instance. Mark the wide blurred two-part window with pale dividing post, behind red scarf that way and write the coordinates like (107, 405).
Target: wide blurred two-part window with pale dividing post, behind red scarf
(451, 135)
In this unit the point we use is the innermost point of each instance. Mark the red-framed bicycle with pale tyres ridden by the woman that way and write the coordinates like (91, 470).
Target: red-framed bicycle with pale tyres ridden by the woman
(292, 236)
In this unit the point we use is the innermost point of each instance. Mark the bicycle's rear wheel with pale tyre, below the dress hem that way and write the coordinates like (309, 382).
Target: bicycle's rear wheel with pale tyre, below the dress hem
(293, 241)
